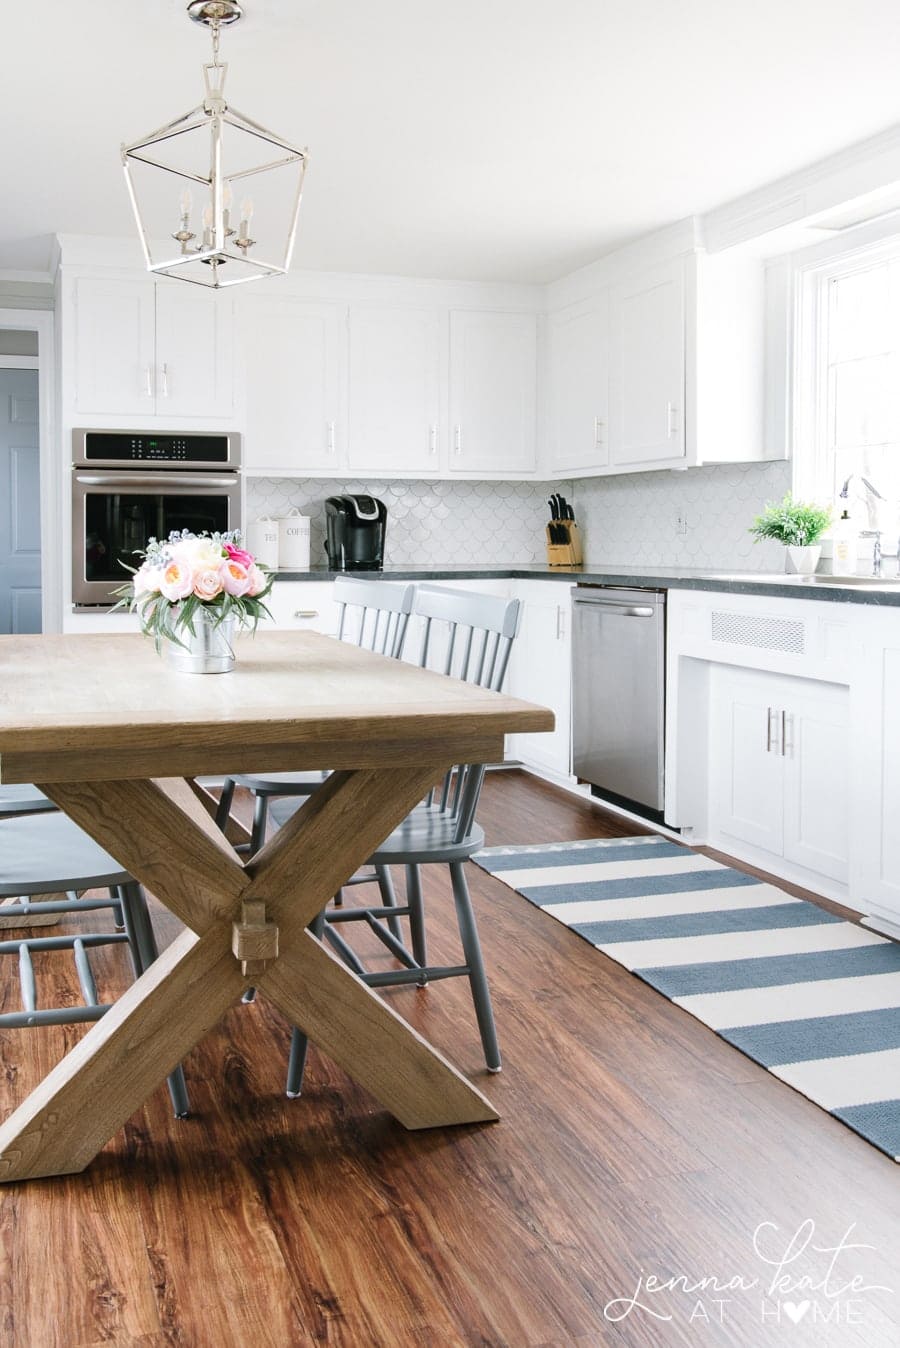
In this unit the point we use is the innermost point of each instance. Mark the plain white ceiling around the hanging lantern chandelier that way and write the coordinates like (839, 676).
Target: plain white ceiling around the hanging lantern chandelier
(484, 140)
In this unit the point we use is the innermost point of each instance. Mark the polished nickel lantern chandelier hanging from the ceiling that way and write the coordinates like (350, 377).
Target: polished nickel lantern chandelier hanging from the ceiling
(212, 153)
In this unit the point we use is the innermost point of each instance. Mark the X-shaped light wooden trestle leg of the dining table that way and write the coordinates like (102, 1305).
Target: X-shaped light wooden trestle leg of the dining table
(161, 832)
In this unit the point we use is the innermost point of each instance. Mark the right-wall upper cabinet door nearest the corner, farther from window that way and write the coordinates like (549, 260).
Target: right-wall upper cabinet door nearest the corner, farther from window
(580, 388)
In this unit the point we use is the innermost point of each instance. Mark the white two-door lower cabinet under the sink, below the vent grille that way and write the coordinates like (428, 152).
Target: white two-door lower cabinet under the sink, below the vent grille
(781, 769)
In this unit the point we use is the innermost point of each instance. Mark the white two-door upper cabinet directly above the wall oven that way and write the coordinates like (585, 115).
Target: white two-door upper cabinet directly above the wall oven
(152, 348)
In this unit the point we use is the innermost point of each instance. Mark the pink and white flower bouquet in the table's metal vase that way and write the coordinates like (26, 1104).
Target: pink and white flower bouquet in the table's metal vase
(191, 576)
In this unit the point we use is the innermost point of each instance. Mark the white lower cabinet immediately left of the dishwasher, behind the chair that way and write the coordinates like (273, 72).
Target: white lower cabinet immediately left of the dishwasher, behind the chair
(541, 672)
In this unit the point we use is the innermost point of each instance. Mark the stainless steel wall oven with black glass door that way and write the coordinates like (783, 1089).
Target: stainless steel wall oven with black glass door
(129, 487)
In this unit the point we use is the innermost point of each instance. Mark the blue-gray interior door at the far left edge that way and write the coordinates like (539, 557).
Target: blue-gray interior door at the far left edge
(20, 502)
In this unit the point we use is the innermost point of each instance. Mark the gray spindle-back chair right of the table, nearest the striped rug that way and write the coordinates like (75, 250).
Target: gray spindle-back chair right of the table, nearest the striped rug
(468, 637)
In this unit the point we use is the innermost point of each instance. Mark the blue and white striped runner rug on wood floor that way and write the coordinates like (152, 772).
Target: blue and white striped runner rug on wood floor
(804, 993)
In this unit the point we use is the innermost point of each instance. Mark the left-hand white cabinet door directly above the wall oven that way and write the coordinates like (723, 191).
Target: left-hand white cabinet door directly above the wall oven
(115, 347)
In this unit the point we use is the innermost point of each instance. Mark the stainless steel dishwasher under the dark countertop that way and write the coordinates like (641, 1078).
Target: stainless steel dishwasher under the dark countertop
(619, 695)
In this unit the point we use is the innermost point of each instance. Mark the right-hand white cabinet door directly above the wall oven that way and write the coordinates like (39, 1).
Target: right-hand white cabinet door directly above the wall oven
(195, 366)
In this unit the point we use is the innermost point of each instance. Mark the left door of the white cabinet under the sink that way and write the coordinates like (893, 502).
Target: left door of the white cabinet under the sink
(747, 777)
